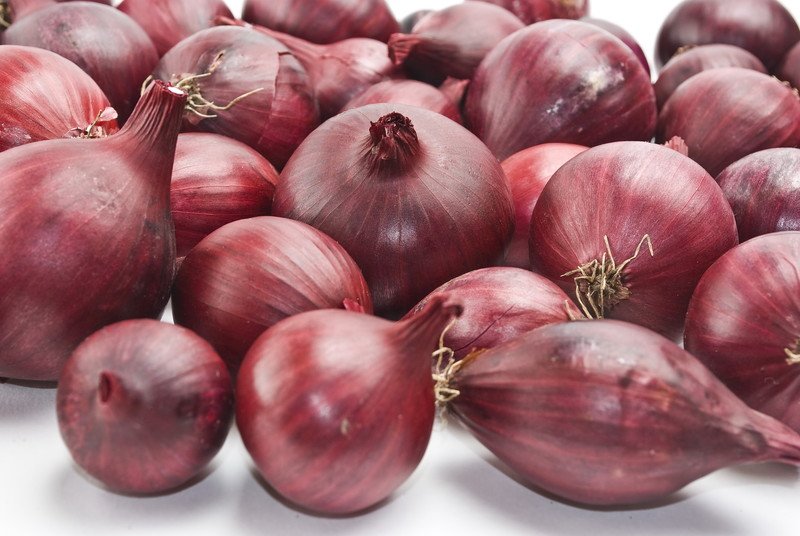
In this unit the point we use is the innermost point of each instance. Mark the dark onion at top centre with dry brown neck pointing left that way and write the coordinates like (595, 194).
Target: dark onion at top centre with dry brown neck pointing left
(453, 41)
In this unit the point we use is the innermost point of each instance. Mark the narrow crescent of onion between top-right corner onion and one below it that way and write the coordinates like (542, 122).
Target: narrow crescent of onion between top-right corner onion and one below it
(698, 59)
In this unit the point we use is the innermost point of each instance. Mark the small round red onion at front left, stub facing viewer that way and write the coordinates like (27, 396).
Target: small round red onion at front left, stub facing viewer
(143, 406)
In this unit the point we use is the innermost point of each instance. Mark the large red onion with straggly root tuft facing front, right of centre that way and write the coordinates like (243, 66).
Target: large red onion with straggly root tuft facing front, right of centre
(639, 195)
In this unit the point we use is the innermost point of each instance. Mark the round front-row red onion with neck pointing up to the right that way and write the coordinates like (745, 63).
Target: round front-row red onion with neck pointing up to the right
(337, 408)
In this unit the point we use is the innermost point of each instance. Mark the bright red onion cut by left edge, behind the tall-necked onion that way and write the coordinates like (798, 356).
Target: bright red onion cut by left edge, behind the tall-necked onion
(47, 97)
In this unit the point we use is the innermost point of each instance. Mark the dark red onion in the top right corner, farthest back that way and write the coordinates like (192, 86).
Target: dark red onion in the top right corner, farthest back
(764, 27)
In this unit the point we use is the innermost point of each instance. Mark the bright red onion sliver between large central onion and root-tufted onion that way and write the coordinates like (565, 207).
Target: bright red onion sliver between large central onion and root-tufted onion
(528, 171)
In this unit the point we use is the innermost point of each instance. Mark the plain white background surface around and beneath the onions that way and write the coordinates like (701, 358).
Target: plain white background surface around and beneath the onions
(456, 490)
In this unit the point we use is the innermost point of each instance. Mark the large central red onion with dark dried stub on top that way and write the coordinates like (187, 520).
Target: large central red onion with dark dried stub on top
(415, 198)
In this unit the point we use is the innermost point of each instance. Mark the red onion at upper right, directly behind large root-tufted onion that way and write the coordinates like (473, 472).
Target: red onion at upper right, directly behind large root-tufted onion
(728, 113)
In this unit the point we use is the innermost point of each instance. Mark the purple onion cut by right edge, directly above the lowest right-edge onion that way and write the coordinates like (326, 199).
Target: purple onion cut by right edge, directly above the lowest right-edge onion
(763, 190)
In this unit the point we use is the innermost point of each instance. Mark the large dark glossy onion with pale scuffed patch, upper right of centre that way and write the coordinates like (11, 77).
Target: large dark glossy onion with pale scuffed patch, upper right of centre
(579, 85)
